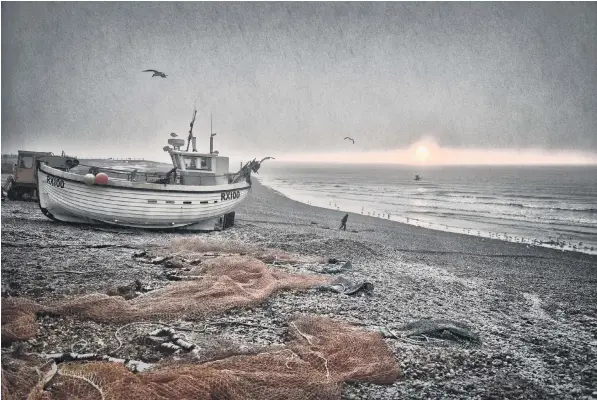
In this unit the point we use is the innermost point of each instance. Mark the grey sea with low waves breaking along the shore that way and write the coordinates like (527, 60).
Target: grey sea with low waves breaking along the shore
(550, 206)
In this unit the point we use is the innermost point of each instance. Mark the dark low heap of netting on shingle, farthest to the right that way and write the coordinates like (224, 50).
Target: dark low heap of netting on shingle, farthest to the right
(441, 329)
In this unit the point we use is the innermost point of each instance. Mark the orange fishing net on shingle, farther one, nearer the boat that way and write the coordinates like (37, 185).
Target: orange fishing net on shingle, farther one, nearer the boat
(218, 285)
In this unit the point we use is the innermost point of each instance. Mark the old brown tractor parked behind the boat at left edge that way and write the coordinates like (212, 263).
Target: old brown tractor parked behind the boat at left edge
(22, 184)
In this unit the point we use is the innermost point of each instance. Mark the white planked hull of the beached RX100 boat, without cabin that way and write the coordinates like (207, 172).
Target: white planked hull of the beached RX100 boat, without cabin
(65, 197)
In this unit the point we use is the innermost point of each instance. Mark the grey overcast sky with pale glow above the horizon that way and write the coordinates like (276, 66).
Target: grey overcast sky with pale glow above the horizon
(483, 81)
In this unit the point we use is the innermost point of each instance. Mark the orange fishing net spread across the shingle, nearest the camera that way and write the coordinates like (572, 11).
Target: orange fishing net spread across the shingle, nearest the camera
(320, 356)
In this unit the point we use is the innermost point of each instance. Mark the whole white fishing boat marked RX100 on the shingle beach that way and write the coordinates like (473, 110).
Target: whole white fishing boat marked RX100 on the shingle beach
(198, 193)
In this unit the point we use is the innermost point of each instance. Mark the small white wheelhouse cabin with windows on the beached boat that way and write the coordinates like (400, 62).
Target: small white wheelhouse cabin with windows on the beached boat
(200, 169)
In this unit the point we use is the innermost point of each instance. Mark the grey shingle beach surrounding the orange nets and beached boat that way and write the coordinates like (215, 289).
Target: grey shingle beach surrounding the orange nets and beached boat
(535, 309)
